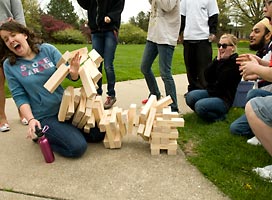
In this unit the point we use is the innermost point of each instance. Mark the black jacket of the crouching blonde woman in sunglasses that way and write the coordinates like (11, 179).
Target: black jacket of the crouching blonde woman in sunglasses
(223, 77)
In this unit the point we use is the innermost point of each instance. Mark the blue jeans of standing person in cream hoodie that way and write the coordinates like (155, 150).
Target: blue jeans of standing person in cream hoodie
(165, 53)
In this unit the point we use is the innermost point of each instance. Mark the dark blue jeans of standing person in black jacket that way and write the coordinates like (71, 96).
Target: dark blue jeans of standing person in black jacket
(105, 44)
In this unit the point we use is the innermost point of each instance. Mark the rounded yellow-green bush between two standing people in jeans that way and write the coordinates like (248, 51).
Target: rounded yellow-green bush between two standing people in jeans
(130, 34)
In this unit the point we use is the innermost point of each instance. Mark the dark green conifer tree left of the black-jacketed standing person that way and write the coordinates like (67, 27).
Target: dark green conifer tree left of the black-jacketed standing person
(63, 10)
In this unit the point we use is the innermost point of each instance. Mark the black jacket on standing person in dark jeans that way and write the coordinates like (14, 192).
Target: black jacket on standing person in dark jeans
(98, 9)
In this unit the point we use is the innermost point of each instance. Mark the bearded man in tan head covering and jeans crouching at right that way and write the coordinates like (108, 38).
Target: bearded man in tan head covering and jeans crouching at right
(260, 41)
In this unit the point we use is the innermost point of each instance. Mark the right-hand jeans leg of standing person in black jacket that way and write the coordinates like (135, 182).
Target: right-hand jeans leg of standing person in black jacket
(110, 44)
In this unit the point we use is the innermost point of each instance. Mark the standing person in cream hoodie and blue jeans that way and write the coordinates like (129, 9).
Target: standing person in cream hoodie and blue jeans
(162, 36)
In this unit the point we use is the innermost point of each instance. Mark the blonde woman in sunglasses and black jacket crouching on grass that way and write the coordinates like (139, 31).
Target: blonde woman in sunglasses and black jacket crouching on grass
(222, 76)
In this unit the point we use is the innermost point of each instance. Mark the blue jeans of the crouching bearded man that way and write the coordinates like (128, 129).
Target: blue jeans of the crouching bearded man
(240, 126)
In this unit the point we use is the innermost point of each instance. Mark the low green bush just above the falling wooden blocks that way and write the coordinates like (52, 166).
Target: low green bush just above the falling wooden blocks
(69, 36)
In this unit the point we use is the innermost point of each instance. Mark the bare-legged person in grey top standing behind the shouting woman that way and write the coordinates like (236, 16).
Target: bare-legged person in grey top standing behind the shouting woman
(9, 10)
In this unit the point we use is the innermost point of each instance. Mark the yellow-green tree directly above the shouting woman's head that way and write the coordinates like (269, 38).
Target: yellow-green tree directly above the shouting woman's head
(32, 14)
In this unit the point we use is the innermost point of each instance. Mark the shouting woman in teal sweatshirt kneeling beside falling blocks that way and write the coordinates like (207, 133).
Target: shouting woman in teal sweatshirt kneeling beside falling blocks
(29, 64)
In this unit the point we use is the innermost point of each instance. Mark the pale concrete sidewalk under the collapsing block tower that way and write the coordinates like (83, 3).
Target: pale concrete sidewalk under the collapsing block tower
(127, 173)
